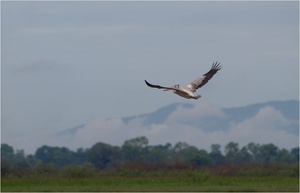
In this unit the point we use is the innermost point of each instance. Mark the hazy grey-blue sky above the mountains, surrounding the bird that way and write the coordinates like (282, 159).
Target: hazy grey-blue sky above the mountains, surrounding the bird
(65, 64)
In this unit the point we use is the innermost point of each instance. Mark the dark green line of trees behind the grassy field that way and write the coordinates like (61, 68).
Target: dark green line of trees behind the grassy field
(138, 150)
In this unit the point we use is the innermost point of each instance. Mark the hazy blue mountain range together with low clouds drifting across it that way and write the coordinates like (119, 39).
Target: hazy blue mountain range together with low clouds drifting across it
(200, 124)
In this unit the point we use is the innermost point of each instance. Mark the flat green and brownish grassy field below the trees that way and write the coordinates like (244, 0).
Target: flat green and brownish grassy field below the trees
(220, 178)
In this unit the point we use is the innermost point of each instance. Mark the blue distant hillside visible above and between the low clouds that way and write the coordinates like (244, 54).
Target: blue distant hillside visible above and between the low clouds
(289, 109)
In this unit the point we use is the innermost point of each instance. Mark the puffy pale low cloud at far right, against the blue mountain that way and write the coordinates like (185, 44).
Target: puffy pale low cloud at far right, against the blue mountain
(267, 126)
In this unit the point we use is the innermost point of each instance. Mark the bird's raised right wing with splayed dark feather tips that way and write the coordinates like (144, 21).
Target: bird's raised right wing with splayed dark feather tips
(199, 82)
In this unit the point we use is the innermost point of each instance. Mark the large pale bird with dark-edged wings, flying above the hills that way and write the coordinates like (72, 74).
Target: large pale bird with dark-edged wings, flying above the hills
(189, 90)
